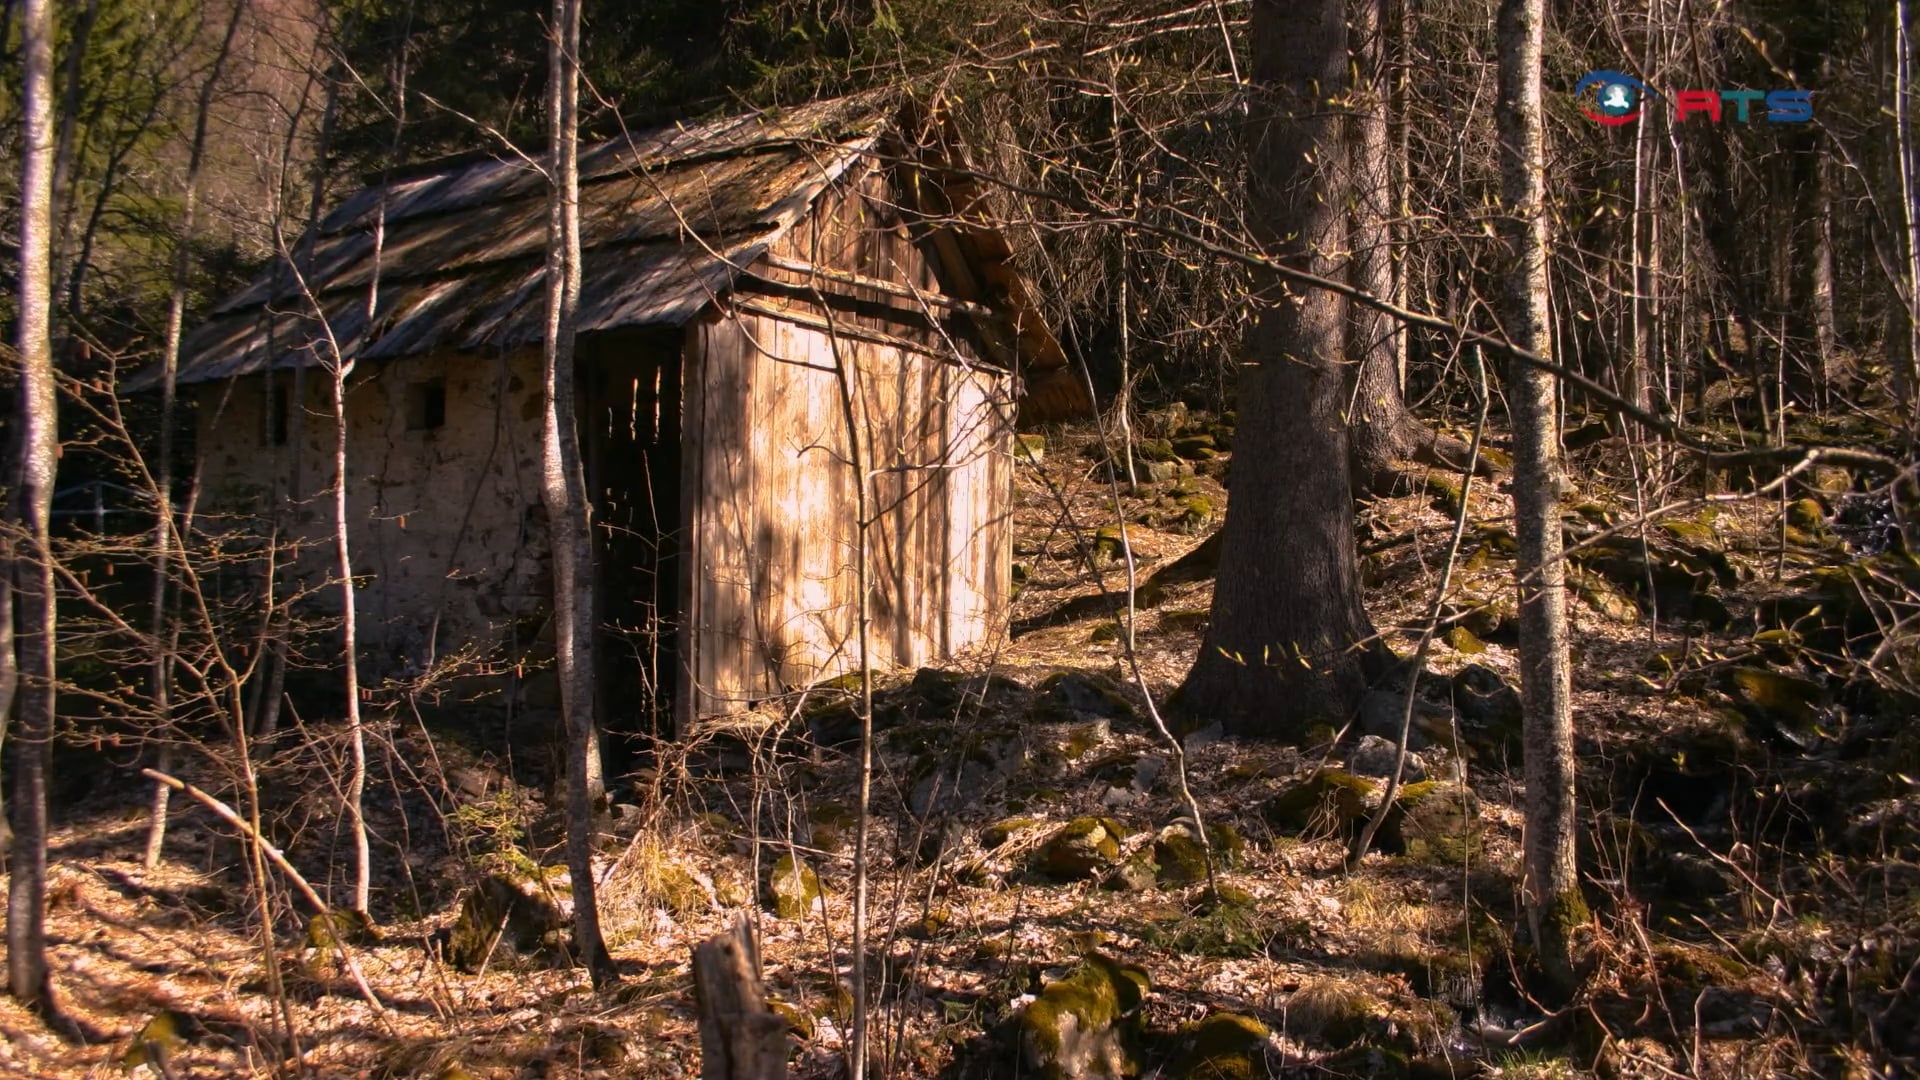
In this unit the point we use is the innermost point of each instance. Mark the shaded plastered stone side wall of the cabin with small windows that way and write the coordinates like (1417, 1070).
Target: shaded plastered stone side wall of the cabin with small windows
(446, 528)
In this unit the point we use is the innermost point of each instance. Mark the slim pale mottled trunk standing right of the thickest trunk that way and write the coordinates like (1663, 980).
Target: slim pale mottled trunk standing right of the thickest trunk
(1552, 887)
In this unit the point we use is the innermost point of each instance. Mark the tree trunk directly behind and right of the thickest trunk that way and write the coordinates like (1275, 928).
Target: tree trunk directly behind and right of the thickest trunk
(1385, 435)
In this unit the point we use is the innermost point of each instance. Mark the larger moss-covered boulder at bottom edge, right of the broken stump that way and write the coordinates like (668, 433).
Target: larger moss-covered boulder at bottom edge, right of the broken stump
(1088, 1025)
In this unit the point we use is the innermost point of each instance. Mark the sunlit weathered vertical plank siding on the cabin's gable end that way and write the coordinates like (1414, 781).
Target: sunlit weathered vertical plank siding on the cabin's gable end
(769, 495)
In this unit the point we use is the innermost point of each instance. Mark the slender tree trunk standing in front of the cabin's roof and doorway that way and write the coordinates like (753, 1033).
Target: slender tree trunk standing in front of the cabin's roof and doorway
(564, 487)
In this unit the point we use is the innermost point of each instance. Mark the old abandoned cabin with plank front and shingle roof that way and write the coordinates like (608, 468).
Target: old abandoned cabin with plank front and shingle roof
(732, 272)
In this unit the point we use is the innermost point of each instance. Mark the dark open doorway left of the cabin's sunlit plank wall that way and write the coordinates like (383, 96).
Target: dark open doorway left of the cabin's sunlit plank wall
(631, 441)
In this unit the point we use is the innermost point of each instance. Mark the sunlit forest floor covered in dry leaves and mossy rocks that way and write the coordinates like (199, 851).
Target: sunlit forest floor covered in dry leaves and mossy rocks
(1750, 818)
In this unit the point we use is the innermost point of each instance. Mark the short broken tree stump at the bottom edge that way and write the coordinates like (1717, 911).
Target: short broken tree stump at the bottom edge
(740, 1037)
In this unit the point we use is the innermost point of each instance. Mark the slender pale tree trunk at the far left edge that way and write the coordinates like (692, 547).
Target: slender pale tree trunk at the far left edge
(34, 566)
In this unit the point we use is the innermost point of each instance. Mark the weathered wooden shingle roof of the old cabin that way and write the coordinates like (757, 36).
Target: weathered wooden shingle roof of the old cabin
(669, 218)
